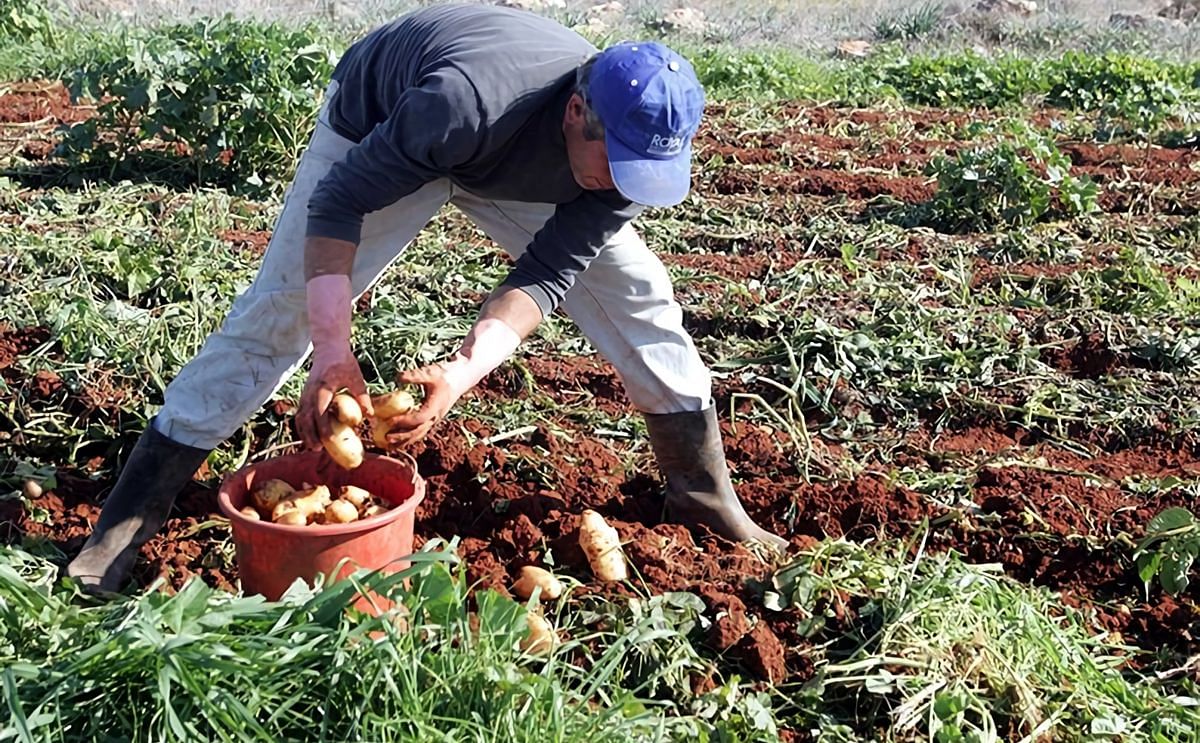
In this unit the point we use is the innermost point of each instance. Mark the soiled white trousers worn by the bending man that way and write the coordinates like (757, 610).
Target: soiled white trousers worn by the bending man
(623, 303)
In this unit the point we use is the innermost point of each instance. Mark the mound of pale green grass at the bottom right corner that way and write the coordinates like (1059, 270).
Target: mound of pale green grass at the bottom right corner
(955, 652)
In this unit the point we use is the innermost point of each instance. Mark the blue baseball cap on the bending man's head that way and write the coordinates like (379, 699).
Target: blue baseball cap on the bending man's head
(651, 104)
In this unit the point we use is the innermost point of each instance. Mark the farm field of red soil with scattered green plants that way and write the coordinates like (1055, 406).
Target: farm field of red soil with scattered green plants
(956, 351)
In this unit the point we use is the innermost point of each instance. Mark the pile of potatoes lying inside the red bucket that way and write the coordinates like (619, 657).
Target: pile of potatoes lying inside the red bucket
(278, 502)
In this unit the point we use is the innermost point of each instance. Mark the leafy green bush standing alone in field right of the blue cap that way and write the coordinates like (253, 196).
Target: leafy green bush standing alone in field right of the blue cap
(1013, 183)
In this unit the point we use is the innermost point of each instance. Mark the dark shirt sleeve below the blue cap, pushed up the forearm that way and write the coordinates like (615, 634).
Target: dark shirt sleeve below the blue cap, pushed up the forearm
(567, 244)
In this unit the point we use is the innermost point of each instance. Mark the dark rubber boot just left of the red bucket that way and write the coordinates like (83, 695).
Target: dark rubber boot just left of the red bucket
(158, 470)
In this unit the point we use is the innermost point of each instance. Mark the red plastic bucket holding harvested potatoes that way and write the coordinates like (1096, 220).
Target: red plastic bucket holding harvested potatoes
(272, 556)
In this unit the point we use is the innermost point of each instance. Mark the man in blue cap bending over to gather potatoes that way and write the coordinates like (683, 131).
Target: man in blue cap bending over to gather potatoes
(550, 148)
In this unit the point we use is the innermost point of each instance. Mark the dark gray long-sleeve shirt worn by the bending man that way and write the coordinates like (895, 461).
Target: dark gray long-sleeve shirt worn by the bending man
(475, 94)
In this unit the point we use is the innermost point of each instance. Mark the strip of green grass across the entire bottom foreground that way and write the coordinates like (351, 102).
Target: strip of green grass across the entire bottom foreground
(937, 650)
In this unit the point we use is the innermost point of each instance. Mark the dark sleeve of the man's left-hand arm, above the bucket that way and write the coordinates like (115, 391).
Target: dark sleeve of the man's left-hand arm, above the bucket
(435, 127)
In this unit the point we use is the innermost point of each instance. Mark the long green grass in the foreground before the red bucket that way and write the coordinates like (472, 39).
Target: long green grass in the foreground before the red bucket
(205, 664)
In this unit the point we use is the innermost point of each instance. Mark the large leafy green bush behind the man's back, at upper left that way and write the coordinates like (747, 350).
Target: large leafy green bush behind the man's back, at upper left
(231, 101)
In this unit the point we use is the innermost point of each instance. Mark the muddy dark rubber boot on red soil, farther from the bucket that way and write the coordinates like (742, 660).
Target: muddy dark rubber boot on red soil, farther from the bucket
(688, 448)
